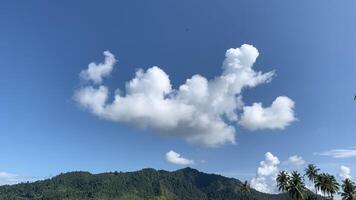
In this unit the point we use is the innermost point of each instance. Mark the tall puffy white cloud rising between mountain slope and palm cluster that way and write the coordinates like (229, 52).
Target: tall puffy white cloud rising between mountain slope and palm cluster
(265, 179)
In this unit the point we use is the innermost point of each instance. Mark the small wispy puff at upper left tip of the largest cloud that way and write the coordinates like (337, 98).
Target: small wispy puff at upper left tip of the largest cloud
(96, 72)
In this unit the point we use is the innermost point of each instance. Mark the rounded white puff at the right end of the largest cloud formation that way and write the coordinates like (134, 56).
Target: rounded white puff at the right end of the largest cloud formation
(279, 115)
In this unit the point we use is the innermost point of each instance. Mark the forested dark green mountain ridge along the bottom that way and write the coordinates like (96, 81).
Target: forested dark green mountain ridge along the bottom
(184, 184)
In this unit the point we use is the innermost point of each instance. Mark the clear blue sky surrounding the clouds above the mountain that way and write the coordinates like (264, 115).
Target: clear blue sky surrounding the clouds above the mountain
(44, 47)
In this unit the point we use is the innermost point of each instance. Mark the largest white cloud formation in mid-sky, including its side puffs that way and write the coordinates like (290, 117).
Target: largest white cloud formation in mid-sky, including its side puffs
(200, 110)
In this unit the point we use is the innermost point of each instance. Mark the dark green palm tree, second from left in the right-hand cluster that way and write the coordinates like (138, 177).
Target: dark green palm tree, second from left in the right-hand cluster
(296, 187)
